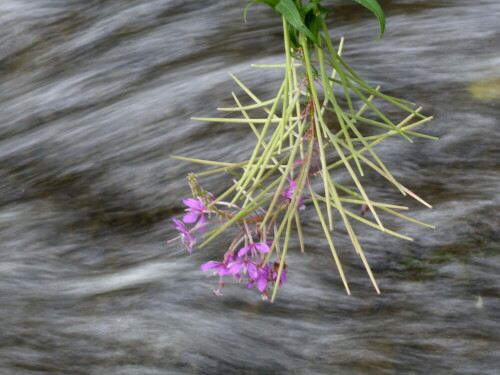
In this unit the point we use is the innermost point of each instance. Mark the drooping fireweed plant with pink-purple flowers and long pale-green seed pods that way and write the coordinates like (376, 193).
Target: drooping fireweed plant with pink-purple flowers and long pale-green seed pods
(296, 144)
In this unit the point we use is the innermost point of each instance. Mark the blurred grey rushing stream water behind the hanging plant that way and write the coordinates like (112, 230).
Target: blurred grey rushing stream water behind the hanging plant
(96, 94)
